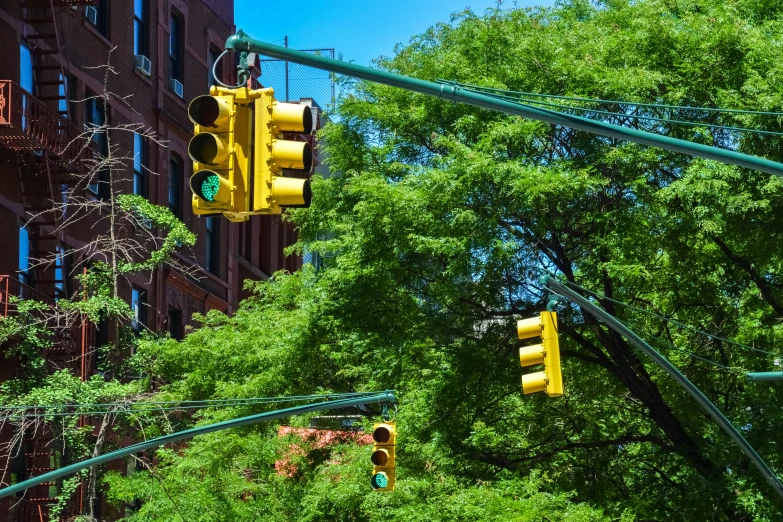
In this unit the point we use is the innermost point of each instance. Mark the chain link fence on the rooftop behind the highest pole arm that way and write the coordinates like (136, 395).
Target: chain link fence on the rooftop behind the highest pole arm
(292, 81)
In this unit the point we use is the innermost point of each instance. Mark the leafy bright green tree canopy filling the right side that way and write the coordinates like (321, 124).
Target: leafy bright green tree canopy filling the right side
(433, 228)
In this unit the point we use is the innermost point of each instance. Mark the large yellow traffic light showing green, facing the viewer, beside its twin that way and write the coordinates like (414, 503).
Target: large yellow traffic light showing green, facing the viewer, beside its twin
(220, 150)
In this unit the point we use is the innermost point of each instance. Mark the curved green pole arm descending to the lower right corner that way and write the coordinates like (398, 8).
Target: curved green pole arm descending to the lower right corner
(612, 322)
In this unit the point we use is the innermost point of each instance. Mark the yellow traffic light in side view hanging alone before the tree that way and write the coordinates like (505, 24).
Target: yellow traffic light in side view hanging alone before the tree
(547, 353)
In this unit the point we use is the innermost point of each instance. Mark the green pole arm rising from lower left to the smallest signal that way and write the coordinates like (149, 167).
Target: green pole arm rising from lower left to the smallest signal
(386, 397)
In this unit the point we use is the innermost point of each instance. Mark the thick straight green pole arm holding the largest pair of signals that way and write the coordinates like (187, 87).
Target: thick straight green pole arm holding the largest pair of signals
(243, 43)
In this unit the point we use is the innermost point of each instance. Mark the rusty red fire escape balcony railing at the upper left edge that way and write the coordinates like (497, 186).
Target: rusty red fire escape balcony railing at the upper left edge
(27, 124)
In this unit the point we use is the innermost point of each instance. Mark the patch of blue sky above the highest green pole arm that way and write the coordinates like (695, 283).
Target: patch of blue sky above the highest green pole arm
(359, 29)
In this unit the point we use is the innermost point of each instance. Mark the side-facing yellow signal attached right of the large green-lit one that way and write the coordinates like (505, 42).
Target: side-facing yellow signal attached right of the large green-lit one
(271, 190)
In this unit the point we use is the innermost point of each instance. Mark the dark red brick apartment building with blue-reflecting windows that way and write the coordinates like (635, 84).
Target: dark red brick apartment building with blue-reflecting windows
(163, 52)
